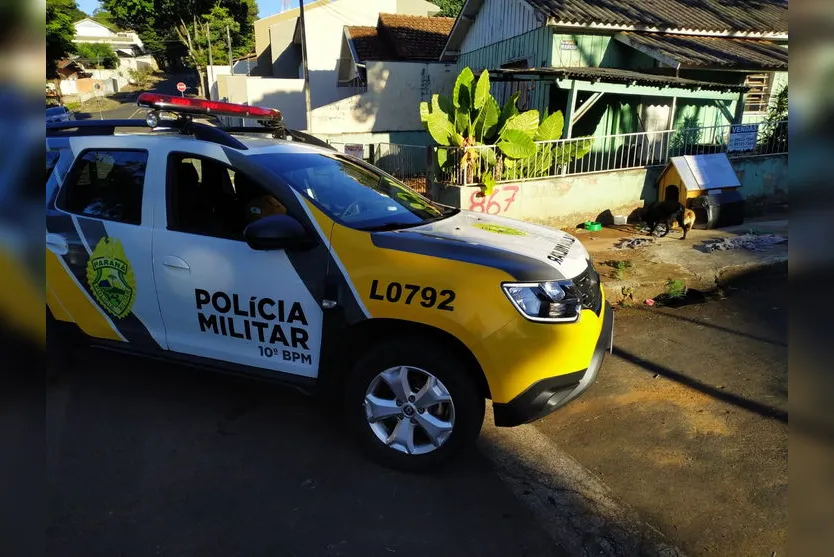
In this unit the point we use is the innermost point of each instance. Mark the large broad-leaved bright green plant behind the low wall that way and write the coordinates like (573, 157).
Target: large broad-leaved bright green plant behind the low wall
(472, 118)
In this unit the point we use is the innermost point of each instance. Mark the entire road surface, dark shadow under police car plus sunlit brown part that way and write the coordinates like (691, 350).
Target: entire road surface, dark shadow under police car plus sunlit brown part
(156, 459)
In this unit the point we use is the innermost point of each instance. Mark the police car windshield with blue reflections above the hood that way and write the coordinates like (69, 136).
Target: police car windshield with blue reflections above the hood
(352, 194)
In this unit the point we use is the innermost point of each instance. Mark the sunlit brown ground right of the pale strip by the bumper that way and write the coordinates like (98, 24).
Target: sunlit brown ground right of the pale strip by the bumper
(687, 422)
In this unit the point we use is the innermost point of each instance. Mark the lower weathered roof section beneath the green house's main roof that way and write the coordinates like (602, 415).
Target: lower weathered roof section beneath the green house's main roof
(711, 52)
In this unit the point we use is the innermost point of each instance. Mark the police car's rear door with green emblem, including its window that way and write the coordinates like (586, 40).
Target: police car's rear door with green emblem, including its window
(99, 224)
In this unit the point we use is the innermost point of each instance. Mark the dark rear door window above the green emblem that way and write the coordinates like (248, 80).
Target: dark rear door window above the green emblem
(106, 185)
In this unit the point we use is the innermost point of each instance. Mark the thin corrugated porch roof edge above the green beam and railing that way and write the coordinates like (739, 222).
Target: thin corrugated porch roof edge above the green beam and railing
(612, 75)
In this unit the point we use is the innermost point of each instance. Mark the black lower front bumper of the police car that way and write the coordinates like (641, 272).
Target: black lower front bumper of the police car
(545, 396)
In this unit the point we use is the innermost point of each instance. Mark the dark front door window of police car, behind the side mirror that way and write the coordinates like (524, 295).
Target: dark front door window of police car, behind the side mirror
(209, 198)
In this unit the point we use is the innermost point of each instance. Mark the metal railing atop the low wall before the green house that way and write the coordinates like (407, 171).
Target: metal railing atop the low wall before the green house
(586, 155)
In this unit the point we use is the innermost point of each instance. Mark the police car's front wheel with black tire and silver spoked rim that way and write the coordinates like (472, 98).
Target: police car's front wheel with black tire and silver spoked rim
(450, 377)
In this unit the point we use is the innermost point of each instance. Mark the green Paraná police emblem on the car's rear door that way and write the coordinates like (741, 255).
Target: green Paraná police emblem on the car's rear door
(111, 278)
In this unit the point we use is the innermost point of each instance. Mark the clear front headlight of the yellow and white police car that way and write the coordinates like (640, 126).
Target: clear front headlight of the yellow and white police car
(553, 301)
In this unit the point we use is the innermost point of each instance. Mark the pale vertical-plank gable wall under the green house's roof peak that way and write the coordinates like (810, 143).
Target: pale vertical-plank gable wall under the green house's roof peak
(498, 20)
